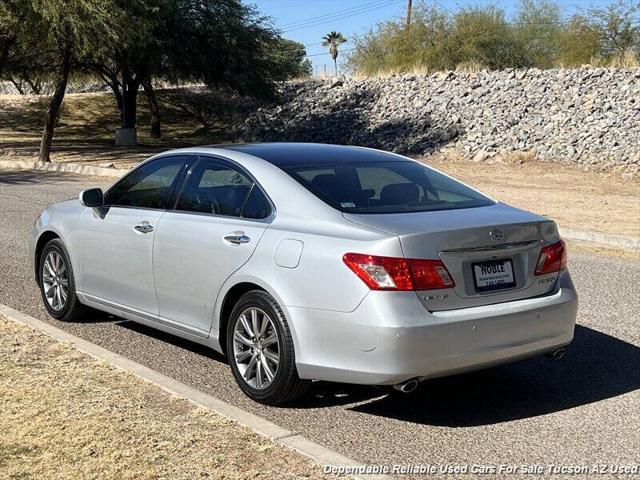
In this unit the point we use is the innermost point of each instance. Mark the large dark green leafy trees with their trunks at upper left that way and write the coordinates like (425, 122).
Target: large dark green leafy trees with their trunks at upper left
(132, 45)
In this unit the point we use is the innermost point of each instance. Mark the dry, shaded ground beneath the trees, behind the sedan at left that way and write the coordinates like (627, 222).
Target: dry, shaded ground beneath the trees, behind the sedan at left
(86, 128)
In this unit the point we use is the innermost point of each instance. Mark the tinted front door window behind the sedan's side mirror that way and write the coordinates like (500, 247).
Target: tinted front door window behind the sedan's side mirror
(149, 186)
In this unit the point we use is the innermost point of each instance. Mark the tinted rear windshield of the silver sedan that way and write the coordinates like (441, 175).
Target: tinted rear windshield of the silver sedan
(385, 187)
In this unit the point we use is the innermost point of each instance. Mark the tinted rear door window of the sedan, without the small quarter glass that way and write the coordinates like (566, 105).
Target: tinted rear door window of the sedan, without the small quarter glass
(215, 187)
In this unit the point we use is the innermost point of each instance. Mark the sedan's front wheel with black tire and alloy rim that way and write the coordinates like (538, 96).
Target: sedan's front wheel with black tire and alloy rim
(57, 284)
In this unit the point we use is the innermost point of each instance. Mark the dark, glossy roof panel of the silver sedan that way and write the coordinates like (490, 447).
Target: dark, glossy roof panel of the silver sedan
(301, 154)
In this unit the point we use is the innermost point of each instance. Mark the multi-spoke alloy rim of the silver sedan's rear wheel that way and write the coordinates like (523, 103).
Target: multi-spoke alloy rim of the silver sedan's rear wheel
(256, 348)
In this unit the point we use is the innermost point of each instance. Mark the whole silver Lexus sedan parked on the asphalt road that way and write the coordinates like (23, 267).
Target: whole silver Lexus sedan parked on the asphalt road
(306, 262)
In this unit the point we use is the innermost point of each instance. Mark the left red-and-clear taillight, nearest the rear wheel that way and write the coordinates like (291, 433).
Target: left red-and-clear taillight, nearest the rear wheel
(391, 273)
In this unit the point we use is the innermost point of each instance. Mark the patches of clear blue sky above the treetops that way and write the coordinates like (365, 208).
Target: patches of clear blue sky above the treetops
(307, 21)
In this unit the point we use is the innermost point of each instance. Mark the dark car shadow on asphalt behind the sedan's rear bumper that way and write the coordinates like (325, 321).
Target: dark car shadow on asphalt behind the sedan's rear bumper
(597, 366)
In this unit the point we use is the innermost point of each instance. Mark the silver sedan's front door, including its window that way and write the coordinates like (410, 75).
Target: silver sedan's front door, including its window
(116, 241)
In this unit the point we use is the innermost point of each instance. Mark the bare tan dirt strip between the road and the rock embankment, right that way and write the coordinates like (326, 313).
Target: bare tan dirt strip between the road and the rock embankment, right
(574, 198)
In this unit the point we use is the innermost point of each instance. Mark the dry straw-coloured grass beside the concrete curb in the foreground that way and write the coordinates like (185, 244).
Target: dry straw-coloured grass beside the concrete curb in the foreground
(64, 415)
